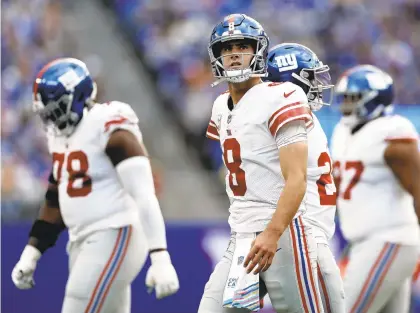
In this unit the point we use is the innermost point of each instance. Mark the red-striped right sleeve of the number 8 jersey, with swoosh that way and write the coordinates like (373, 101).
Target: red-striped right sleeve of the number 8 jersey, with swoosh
(289, 104)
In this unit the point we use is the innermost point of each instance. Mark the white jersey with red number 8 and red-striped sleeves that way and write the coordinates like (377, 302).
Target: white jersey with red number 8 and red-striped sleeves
(247, 135)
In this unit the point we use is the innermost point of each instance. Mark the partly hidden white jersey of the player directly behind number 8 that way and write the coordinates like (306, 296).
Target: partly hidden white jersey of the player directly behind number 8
(321, 192)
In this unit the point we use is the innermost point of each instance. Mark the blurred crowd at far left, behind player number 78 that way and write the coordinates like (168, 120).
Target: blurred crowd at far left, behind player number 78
(33, 33)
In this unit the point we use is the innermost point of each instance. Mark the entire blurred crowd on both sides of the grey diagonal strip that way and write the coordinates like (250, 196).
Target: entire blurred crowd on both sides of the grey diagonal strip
(172, 38)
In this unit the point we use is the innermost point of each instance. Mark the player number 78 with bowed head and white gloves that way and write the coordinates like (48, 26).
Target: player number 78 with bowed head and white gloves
(101, 190)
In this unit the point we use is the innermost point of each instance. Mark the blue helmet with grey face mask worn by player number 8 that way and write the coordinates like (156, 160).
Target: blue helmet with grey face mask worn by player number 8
(238, 27)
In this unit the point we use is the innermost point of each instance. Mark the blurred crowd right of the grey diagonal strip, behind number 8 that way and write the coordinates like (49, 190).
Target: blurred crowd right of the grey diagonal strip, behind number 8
(173, 38)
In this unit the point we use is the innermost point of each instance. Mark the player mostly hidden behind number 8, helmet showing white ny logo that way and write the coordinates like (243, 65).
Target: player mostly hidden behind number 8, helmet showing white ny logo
(292, 62)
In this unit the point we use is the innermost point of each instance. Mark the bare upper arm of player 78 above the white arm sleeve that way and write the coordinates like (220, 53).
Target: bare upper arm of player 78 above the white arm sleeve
(123, 144)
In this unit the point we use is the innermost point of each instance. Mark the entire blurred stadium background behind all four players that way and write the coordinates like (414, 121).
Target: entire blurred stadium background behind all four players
(153, 55)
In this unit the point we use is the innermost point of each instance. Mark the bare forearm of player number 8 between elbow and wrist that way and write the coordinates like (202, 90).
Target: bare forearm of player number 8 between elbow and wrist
(289, 202)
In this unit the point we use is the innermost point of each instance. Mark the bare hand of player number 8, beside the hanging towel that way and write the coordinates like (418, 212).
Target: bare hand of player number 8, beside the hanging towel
(262, 252)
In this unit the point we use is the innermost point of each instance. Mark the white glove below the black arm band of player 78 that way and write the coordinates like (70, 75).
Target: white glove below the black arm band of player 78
(22, 274)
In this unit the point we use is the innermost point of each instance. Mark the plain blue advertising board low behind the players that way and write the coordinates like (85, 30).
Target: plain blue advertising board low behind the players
(195, 249)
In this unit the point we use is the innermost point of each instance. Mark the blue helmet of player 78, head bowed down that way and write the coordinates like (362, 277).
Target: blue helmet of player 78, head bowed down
(61, 91)
